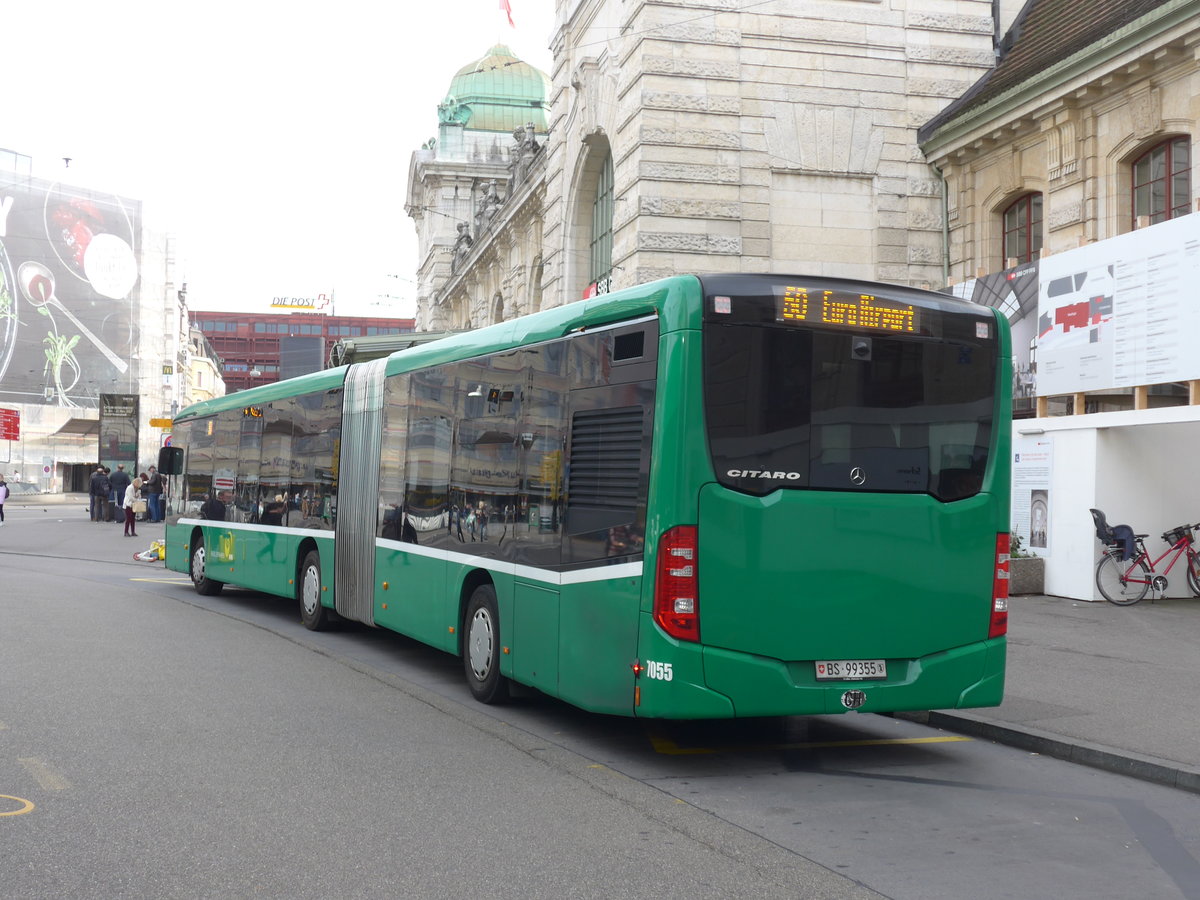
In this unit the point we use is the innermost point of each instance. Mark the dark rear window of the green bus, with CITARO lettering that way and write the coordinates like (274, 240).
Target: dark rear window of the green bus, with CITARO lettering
(845, 410)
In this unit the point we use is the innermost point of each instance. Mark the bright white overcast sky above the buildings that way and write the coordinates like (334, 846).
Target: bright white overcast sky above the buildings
(272, 139)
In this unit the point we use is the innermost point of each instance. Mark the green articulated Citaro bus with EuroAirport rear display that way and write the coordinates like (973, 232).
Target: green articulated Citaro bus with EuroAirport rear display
(704, 497)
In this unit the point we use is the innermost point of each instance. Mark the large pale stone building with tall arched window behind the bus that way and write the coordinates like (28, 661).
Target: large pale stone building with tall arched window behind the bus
(698, 136)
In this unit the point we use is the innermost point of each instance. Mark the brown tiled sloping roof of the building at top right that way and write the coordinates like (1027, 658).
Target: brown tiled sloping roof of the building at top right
(1045, 33)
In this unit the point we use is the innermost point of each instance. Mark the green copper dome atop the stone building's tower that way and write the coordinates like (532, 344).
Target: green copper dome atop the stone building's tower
(500, 93)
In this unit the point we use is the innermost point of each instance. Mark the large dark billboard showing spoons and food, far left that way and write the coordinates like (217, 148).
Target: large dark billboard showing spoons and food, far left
(69, 269)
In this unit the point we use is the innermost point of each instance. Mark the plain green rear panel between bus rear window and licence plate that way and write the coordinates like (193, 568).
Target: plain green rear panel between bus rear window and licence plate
(802, 575)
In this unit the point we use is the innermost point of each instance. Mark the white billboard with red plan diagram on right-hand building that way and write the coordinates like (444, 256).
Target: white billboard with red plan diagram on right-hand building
(1121, 313)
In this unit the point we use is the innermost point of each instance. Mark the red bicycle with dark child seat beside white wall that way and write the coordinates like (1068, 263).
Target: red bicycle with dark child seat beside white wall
(1124, 581)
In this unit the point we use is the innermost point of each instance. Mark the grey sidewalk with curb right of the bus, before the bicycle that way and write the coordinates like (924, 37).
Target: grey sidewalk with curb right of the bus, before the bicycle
(1103, 686)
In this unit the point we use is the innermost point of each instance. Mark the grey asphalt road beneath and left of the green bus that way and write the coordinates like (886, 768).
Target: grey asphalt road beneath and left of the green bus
(178, 746)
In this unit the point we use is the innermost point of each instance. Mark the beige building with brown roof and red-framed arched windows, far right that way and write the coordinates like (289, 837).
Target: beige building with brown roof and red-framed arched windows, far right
(1082, 133)
